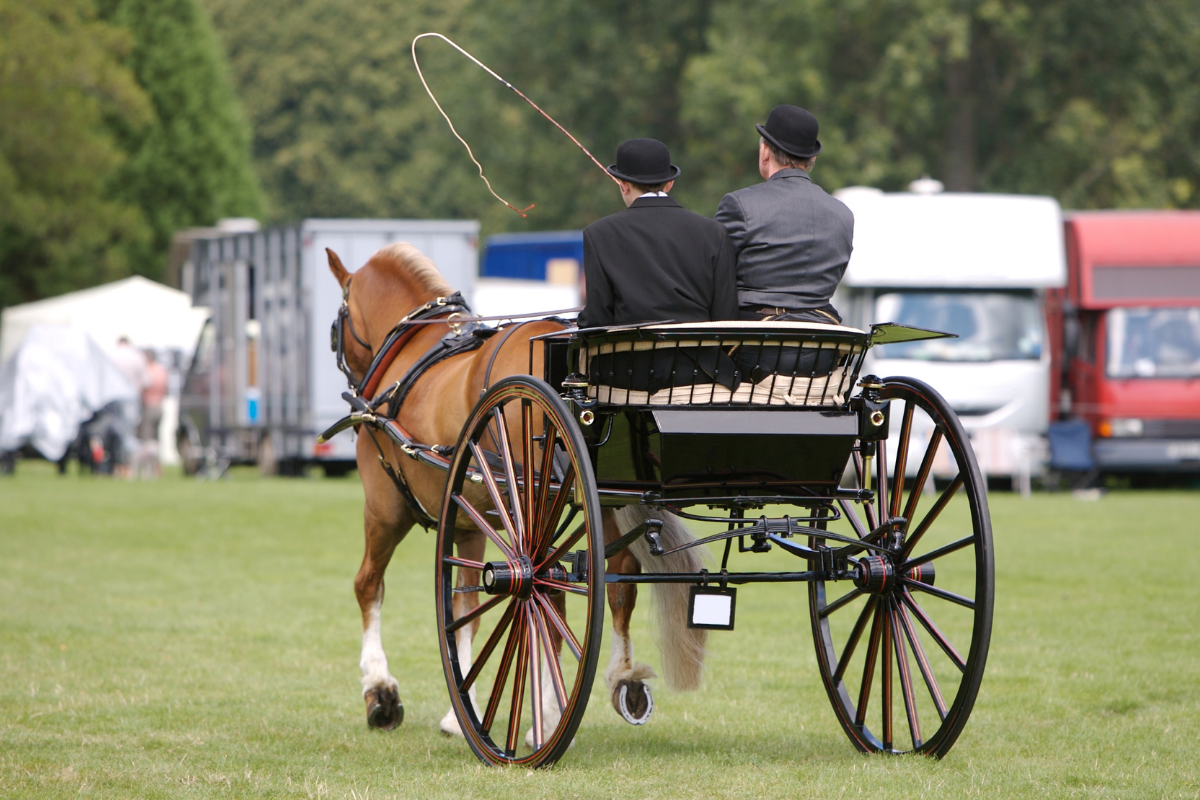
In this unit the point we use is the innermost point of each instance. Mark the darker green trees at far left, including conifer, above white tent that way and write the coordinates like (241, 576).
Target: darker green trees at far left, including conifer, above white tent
(118, 127)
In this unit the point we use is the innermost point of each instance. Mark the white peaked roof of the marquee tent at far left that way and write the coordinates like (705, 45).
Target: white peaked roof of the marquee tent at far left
(151, 315)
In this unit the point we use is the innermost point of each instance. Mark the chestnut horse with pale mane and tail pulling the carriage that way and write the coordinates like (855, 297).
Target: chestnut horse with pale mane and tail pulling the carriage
(395, 282)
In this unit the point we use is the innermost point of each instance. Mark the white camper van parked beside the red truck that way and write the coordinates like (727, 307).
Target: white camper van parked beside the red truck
(976, 266)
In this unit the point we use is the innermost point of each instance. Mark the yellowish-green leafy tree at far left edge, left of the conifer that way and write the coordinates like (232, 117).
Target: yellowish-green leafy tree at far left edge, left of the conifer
(61, 79)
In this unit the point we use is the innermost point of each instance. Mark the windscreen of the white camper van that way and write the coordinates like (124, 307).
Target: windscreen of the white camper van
(992, 326)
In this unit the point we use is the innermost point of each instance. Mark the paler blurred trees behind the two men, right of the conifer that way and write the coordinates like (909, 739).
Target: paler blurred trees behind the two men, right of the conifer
(1091, 101)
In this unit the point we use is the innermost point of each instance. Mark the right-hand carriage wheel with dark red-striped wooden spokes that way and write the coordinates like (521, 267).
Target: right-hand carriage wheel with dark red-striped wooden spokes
(902, 649)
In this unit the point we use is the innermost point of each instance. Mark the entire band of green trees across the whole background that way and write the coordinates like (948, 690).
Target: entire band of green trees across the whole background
(1095, 103)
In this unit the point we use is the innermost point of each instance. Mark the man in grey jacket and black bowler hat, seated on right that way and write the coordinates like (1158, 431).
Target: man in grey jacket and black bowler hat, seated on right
(793, 240)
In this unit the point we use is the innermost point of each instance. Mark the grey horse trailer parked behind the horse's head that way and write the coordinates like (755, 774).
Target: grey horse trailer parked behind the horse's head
(262, 384)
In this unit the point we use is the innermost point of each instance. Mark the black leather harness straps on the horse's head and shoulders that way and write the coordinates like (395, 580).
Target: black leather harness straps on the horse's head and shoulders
(464, 338)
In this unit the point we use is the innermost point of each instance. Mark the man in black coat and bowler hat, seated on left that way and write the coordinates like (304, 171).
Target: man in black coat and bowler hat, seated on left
(656, 261)
